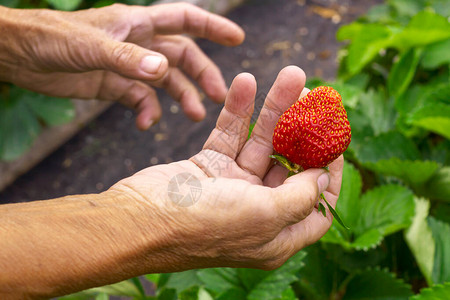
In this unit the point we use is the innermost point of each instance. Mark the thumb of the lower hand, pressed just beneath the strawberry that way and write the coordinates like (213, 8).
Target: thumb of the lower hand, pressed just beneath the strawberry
(297, 196)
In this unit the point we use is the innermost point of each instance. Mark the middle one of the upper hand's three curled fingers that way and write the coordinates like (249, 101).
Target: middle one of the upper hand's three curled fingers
(183, 91)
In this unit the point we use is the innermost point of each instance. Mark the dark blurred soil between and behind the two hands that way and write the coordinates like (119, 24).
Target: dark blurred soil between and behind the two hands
(279, 33)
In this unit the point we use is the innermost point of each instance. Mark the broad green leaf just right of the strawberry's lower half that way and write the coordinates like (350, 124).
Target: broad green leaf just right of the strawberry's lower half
(386, 146)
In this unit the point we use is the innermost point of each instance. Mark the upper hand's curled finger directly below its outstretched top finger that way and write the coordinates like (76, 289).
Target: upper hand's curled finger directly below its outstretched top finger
(183, 52)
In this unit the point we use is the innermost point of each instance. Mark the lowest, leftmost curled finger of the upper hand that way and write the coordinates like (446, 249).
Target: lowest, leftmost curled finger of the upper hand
(133, 94)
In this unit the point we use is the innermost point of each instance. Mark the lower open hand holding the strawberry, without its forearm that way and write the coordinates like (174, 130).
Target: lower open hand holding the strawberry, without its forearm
(244, 212)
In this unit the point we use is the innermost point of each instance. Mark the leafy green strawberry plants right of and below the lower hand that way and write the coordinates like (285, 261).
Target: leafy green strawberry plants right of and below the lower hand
(394, 80)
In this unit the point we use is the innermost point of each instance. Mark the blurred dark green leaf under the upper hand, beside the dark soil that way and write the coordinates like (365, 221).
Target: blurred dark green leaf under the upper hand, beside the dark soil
(53, 111)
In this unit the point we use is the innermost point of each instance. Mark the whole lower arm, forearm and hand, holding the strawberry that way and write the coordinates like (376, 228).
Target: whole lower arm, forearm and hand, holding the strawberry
(229, 205)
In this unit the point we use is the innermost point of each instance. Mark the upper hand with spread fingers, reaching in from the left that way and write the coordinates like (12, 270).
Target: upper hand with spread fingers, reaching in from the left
(117, 53)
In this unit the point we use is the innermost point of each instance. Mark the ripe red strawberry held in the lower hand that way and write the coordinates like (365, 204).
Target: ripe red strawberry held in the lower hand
(314, 131)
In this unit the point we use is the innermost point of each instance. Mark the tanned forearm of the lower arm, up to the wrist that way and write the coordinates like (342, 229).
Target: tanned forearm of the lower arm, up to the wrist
(55, 247)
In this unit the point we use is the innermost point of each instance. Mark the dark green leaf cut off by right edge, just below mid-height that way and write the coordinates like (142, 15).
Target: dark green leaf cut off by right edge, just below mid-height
(438, 187)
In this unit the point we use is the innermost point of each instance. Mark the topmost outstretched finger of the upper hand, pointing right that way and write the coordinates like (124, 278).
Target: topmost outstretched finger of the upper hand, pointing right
(187, 18)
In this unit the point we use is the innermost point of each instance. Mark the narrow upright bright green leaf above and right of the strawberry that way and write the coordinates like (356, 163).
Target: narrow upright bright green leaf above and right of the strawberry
(403, 71)
